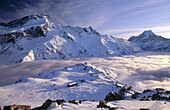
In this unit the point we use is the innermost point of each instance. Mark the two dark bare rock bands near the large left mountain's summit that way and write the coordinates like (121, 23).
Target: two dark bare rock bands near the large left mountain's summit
(34, 31)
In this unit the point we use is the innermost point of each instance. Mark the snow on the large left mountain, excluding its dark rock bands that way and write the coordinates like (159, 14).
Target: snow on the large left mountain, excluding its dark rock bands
(63, 42)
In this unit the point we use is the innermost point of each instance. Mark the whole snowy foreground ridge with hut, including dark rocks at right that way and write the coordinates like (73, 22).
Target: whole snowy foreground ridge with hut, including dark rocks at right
(79, 82)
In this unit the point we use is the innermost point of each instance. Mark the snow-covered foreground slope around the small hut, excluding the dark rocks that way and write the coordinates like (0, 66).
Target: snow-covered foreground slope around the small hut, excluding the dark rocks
(89, 83)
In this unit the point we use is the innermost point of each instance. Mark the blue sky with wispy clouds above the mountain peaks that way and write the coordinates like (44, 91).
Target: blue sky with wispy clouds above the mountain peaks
(120, 18)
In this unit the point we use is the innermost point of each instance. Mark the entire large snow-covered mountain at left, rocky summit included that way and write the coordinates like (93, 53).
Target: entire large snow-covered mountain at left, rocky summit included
(36, 37)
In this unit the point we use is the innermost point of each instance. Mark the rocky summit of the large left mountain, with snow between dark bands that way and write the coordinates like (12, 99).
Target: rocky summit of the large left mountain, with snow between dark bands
(18, 29)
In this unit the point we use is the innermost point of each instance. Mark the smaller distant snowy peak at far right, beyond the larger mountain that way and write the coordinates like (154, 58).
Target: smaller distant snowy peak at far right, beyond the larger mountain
(150, 41)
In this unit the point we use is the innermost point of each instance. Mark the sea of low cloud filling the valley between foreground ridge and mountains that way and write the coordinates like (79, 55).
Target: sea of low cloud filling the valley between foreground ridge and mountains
(148, 70)
